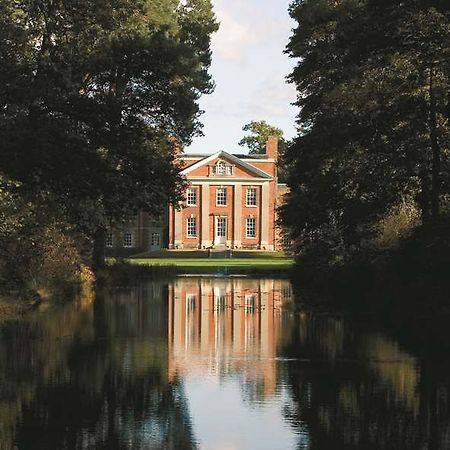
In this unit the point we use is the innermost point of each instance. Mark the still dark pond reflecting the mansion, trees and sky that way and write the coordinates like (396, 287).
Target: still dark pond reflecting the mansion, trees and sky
(220, 364)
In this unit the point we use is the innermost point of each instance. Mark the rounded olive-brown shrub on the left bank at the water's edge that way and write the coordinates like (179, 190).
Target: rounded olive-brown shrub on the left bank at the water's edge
(37, 250)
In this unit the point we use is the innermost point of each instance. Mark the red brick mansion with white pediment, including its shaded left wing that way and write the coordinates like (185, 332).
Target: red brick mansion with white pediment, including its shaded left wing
(231, 203)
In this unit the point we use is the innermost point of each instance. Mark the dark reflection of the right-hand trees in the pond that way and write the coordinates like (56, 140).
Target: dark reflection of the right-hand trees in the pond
(357, 389)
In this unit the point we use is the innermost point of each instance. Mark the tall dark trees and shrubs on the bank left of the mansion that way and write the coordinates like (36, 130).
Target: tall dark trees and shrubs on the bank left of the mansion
(96, 98)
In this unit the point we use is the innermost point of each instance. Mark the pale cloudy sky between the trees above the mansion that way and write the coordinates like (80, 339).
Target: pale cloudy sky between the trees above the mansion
(249, 69)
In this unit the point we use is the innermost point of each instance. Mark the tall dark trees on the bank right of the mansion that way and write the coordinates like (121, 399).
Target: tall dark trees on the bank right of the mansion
(369, 169)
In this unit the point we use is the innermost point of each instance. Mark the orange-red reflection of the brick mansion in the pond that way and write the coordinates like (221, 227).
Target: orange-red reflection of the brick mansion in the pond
(226, 326)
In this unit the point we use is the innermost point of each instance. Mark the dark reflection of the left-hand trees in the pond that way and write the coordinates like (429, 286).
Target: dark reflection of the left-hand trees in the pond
(108, 386)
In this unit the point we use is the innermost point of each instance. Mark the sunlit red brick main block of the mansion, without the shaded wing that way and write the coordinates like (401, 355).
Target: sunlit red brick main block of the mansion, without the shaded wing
(235, 224)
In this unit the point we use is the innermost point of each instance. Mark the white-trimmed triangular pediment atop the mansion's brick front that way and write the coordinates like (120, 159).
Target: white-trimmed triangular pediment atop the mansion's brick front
(245, 168)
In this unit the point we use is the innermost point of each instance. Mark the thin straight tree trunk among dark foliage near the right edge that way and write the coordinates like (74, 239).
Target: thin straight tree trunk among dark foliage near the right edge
(436, 154)
